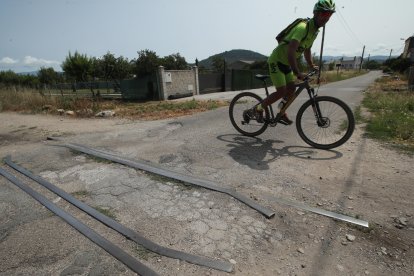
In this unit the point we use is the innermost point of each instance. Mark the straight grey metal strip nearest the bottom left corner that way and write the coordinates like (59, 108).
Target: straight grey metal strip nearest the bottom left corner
(109, 247)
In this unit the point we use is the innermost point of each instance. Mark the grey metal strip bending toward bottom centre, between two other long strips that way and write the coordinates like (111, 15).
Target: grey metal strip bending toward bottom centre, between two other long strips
(127, 232)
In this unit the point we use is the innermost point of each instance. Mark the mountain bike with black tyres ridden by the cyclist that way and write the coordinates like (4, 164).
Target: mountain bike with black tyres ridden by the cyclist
(323, 122)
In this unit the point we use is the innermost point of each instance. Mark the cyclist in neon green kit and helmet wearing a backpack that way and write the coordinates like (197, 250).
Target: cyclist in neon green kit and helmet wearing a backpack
(282, 61)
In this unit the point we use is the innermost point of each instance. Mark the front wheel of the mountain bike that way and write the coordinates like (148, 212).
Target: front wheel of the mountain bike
(325, 124)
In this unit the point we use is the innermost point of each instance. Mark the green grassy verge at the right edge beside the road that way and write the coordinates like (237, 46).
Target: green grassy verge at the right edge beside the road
(391, 108)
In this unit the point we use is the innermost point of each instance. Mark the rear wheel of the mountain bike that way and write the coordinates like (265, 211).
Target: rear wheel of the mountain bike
(238, 105)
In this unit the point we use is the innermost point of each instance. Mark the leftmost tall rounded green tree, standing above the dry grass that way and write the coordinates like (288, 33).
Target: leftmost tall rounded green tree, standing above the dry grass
(78, 67)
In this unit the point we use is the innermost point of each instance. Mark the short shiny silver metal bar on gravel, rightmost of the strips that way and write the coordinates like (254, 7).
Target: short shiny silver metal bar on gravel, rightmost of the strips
(318, 211)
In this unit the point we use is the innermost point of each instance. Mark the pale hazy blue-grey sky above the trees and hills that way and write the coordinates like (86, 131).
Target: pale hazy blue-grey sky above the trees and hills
(41, 33)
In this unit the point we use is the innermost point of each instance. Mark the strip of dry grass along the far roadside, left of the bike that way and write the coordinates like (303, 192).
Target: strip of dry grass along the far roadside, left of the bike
(31, 101)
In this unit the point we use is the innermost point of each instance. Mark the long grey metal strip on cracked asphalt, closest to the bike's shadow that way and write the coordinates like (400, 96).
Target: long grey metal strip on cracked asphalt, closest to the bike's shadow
(174, 175)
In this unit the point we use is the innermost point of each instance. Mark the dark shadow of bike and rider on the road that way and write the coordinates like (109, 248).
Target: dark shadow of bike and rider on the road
(258, 154)
